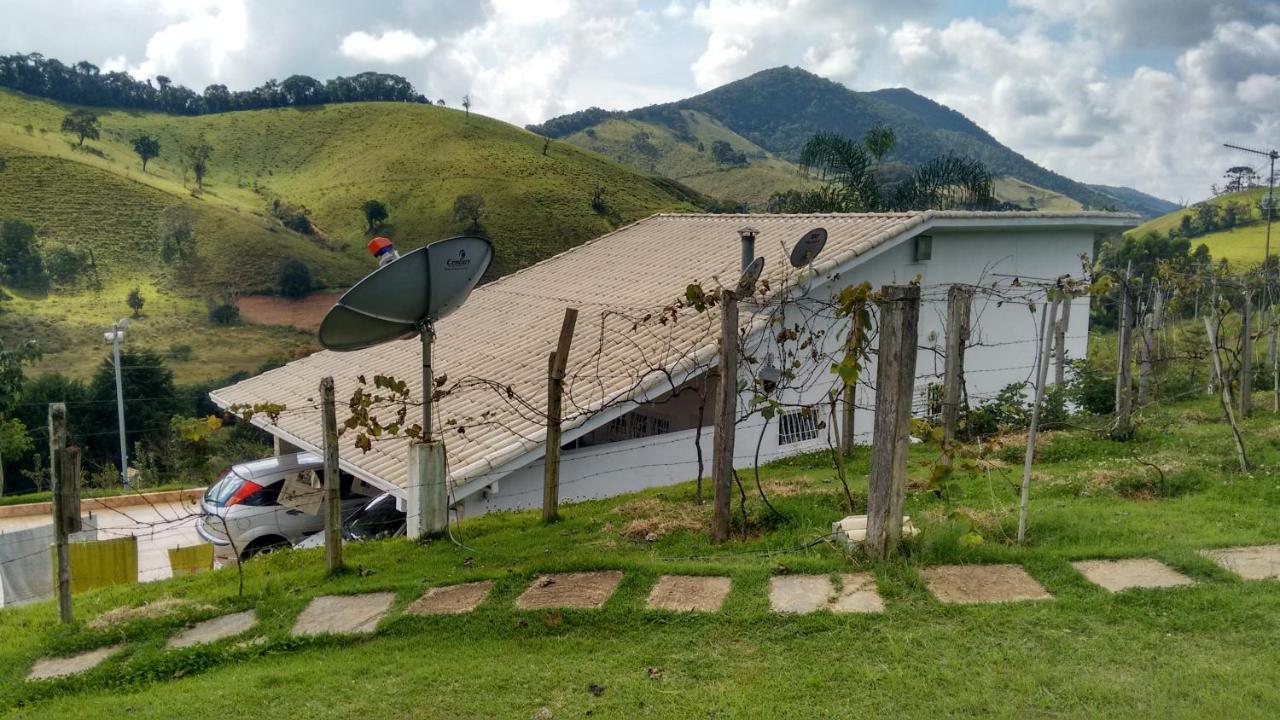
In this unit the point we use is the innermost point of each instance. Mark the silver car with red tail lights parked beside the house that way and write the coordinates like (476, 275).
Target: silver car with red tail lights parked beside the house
(243, 514)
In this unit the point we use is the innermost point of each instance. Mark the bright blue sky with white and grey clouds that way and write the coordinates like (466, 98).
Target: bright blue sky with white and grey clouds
(1137, 93)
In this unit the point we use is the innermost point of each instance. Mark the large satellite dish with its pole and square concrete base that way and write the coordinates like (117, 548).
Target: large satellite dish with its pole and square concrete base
(404, 297)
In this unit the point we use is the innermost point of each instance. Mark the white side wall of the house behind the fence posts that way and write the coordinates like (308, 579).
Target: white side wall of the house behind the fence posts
(1003, 350)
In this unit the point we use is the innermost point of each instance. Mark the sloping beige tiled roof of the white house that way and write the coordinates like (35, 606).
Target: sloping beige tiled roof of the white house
(509, 327)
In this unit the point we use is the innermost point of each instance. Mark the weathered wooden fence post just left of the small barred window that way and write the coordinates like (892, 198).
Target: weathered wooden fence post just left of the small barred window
(726, 420)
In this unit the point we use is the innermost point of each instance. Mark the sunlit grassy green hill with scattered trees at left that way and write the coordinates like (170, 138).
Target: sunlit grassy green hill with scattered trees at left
(415, 158)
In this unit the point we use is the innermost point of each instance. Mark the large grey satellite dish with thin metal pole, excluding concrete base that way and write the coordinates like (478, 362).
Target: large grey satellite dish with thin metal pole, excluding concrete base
(408, 297)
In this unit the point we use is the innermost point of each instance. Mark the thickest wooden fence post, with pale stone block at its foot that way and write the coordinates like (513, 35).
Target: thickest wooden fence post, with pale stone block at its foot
(895, 381)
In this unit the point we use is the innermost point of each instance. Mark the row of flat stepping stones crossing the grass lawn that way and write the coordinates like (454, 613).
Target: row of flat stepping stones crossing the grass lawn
(360, 614)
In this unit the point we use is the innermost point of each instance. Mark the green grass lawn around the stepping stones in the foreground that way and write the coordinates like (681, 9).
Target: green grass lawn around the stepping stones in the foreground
(1210, 650)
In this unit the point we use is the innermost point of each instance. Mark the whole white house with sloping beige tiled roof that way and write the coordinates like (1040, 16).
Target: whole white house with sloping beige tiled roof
(638, 380)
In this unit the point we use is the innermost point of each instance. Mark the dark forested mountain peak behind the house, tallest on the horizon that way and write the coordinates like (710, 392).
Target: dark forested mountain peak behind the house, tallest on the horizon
(778, 111)
